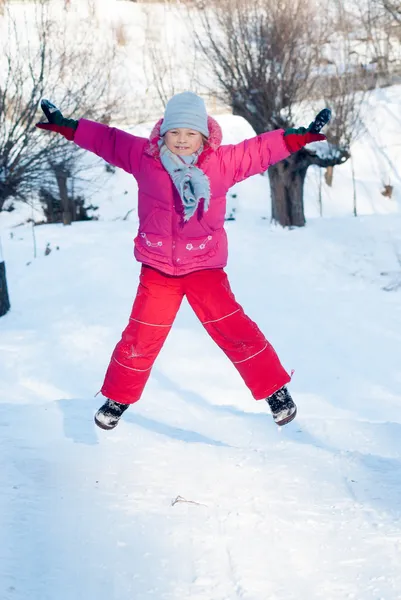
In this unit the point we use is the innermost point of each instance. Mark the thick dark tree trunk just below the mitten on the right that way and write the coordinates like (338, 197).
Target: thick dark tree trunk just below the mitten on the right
(287, 192)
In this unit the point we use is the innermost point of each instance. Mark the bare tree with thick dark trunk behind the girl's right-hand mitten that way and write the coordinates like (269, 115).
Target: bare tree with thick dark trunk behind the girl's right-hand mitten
(266, 57)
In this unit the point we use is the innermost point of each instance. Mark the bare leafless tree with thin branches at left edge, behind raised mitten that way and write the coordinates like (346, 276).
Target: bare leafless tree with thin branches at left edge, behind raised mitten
(47, 55)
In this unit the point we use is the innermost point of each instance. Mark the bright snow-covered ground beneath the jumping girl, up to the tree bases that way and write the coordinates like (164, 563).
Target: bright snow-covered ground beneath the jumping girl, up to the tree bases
(309, 512)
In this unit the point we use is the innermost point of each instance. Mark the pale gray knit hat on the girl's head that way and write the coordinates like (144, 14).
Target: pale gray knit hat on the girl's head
(185, 110)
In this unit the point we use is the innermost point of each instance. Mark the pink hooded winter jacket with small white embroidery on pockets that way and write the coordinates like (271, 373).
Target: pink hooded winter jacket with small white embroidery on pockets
(164, 241)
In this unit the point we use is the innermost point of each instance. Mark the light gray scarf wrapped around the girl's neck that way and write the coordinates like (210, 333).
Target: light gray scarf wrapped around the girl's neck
(191, 182)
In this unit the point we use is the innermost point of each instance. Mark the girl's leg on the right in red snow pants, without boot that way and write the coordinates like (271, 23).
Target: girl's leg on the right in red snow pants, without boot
(211, 298)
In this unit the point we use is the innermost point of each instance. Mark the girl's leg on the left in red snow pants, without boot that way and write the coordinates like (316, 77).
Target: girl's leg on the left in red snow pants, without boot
(155, 307)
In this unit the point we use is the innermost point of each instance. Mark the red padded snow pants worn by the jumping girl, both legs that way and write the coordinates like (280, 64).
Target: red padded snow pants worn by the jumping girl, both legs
(156, 304)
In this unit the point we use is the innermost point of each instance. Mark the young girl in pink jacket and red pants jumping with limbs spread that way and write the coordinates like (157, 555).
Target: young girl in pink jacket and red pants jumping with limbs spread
(183, 174)
